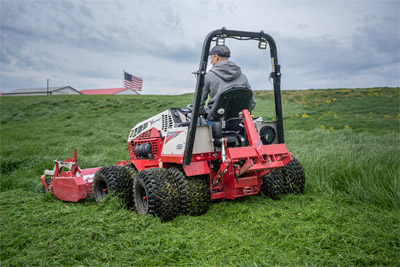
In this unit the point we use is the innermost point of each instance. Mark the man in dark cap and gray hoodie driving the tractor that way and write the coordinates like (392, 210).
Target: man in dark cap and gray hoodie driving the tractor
(223, 75)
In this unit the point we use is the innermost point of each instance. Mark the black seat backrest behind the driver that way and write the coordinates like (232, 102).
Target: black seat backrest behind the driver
(230, 102)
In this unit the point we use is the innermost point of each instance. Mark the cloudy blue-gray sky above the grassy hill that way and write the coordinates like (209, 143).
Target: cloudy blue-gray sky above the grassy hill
(89, 44)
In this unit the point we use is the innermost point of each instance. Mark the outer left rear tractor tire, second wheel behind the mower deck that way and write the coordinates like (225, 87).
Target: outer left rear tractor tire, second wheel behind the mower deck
(156, 193)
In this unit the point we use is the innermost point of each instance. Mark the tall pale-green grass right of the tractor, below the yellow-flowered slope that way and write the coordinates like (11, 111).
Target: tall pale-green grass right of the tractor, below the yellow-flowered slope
(364, 166)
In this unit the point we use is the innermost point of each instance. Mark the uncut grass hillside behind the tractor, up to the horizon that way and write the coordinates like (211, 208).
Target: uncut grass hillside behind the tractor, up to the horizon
(323, 130)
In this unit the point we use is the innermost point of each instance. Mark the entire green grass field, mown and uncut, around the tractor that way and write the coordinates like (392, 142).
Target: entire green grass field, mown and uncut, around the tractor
(348, 141)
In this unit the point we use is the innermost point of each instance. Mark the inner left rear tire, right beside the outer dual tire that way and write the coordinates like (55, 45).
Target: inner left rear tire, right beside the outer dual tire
(194, 193)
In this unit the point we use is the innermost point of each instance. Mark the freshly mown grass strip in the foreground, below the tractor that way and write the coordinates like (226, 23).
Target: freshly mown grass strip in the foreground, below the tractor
(299, 230)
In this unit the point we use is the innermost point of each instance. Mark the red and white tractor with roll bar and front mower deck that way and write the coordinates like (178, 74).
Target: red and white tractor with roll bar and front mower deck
(179, 163)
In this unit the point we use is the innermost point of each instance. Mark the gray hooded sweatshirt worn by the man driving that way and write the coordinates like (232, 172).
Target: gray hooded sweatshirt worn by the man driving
(223, 75)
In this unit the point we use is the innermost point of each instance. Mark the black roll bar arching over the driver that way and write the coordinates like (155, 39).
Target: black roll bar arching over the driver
(275, 75)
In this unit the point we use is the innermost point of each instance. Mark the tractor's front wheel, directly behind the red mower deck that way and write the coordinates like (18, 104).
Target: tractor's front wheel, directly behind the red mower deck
(113, 180)
